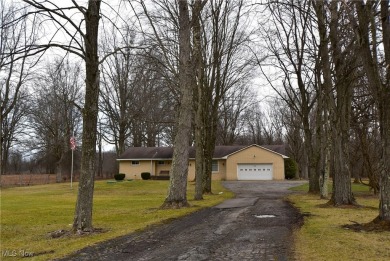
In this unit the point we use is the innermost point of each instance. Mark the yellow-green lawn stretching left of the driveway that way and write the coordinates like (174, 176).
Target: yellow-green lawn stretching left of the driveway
(29, 214)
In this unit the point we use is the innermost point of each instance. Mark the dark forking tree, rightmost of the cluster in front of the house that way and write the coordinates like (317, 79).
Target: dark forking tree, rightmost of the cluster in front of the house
(224, 37)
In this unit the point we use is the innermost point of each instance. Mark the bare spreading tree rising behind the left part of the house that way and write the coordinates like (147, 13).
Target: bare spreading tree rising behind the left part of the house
(135, 100)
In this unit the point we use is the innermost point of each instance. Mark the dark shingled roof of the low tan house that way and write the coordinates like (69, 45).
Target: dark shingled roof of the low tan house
(163, 153)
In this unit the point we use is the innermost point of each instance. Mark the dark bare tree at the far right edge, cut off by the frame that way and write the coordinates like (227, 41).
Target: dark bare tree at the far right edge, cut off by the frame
(376, 67)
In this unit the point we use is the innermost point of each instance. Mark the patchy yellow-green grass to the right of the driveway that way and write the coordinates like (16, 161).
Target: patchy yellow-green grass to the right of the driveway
(322, 236)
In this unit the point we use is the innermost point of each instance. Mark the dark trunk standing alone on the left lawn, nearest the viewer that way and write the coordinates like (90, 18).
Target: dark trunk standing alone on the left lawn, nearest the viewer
(83, 213)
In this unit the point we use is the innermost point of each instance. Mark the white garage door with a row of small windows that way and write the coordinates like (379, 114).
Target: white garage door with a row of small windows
(254, 171)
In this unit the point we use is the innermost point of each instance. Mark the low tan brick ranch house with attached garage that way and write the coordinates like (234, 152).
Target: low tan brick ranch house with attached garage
(252, 162)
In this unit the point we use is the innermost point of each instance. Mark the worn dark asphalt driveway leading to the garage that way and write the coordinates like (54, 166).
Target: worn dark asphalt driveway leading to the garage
(256, 225)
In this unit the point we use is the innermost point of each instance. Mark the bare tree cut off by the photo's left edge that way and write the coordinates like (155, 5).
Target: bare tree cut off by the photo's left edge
(15, 68)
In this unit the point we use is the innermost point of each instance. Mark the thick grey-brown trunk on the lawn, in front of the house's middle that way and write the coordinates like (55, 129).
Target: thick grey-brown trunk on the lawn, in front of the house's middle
(177, 191)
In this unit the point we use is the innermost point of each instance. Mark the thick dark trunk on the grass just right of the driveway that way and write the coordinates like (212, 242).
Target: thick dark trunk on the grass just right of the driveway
(340, 113)
